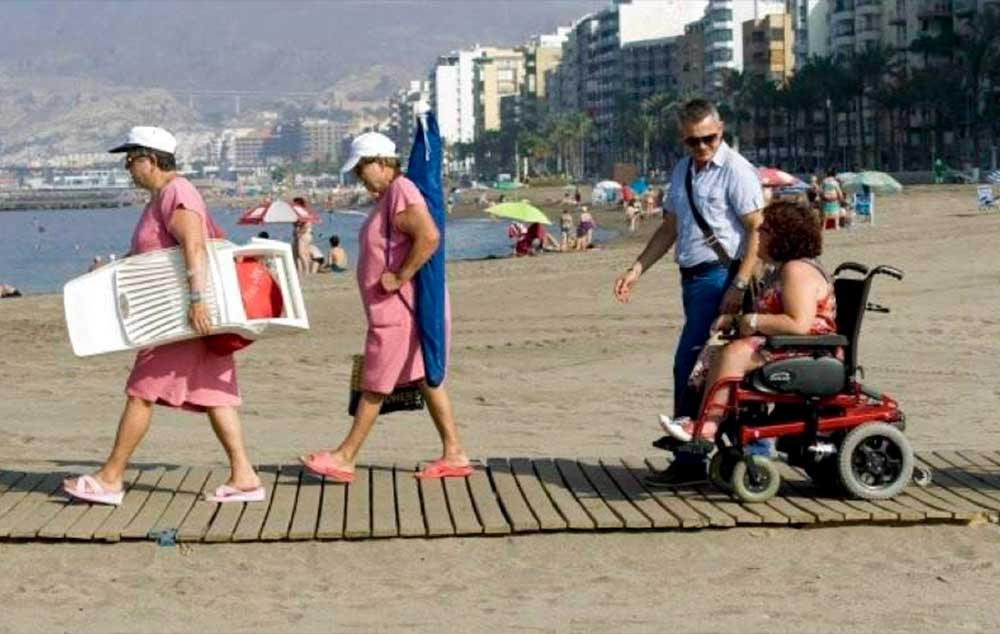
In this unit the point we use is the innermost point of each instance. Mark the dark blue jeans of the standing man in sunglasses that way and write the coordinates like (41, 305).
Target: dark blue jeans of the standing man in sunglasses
(701, 296)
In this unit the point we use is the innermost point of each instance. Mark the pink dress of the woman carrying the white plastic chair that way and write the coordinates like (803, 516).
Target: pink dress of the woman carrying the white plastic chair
(184, 374)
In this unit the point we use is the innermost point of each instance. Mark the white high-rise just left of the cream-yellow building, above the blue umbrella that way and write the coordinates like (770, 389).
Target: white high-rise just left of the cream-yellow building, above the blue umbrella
(453, 95)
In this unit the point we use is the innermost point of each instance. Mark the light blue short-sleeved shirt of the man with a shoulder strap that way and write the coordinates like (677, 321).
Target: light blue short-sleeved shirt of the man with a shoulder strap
(725, 190)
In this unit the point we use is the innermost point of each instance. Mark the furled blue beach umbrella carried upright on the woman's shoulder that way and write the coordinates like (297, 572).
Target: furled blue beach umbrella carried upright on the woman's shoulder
(424, 169)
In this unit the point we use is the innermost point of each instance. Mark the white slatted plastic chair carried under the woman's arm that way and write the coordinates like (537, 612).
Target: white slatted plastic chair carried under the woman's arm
(142, 301)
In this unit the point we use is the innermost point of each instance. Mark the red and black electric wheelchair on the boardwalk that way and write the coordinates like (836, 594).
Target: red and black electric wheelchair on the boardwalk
(846, 436)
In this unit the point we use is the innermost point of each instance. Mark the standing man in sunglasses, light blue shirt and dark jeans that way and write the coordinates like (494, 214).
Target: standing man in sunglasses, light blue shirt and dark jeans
(715, 270)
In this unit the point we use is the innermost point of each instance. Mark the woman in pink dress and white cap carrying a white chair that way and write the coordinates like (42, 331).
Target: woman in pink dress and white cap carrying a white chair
(184, 374)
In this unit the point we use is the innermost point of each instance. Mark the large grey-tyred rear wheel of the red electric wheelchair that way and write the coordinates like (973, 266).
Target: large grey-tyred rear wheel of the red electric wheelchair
(875, 461)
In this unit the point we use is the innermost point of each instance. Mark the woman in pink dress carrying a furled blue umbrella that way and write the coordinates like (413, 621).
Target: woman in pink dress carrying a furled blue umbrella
(398, 237)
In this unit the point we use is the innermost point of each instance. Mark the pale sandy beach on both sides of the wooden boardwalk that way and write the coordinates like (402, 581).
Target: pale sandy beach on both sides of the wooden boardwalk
(545, 363)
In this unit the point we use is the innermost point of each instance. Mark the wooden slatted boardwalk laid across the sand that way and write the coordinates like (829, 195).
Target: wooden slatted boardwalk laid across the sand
(503, 496)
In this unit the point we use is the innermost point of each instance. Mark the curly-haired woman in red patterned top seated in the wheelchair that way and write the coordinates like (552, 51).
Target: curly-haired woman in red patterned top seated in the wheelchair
(796, 298)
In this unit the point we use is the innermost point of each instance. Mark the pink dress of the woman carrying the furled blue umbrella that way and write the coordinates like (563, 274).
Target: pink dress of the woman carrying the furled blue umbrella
(392, 344)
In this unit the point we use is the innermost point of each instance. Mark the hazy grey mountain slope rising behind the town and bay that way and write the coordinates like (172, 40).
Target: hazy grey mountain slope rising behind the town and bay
(75, 75)
